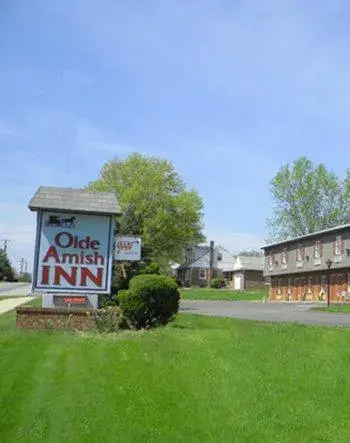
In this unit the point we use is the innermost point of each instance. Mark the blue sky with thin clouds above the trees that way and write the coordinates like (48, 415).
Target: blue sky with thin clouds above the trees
(226, 90)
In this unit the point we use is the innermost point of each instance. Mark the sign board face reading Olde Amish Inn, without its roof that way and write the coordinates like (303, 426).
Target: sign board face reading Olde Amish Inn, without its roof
(74, 252)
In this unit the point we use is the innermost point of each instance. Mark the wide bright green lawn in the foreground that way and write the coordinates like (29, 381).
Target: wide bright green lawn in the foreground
(199, 379)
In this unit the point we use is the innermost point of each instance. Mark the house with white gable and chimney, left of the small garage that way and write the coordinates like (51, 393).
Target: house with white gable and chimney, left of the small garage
(195, 271)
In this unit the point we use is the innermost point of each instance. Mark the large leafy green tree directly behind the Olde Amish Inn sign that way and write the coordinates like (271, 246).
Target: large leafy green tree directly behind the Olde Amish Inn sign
(155, 203)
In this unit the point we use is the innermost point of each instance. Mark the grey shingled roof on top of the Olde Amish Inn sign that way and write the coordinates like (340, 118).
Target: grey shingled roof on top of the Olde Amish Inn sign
(74, 200)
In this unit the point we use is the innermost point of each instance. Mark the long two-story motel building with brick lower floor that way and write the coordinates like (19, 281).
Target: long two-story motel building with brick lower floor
(305, 268)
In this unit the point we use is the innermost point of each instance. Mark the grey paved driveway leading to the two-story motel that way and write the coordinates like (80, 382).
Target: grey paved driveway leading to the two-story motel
(279, 312)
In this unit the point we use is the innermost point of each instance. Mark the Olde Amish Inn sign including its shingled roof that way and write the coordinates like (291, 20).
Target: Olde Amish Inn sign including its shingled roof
(74, 241)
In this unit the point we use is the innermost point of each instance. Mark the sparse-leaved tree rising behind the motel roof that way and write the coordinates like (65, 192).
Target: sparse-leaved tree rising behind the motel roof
(307, 198)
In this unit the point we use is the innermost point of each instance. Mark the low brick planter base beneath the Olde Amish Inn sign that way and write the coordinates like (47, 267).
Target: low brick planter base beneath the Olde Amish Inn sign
(50, 319)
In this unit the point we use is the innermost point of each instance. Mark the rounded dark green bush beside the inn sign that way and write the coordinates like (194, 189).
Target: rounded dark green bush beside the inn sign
(151, 300)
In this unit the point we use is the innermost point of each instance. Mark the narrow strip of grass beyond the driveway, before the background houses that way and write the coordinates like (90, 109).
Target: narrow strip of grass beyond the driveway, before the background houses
(221, 294)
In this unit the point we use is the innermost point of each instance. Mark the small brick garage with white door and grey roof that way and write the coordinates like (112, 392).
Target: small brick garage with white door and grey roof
(246, 273)
